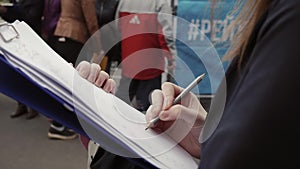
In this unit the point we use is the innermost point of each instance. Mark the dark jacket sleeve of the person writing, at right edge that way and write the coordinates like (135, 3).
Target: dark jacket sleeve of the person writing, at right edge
(259, 125)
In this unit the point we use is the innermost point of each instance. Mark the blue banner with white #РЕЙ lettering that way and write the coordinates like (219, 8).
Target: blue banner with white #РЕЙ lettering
(201, 43)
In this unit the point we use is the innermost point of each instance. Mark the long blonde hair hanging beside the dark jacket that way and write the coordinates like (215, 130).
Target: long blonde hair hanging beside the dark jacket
(249, 13)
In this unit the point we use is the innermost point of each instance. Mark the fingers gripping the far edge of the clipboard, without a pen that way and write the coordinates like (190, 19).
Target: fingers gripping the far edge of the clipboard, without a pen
(93, 73)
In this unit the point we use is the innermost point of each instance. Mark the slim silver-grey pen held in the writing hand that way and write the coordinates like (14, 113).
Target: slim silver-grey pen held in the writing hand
(179, 97)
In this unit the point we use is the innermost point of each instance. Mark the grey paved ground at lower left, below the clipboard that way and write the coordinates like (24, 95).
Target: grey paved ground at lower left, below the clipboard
(24, 143)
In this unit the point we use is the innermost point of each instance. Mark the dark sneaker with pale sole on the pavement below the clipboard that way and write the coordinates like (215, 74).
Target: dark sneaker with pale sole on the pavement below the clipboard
(61, 133)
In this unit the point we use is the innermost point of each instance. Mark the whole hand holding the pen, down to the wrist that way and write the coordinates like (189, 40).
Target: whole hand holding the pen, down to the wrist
(183, 122)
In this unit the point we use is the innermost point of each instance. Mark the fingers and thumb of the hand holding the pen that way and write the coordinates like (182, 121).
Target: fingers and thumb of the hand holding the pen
(190, 111)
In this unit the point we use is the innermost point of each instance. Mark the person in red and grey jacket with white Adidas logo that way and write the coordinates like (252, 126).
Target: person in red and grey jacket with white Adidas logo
(147, 40)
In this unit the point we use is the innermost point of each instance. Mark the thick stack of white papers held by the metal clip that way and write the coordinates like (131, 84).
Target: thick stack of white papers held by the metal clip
(103, 117)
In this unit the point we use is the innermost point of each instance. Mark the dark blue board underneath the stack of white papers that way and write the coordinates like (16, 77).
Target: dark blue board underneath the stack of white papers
(18, 86)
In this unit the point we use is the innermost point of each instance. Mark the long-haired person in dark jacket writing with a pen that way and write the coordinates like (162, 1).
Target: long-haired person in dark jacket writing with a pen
(253, 120)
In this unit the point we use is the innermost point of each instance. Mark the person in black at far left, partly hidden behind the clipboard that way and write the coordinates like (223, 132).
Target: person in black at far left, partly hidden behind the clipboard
(29, 11)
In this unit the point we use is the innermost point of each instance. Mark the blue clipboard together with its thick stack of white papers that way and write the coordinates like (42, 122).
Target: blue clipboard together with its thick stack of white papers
(19, 83)
